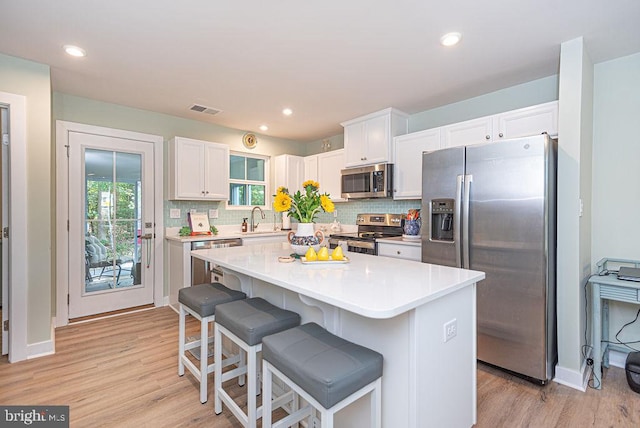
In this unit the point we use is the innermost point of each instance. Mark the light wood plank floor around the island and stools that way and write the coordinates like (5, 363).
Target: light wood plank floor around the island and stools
(122, 372)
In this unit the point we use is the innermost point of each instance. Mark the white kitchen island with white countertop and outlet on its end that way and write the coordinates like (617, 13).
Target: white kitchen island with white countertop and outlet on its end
(421, 317)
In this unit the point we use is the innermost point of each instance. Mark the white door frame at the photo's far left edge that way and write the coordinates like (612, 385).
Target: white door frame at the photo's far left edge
(17, 225)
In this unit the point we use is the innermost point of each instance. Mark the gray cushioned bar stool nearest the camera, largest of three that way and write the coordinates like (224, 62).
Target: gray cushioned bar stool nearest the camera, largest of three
(328, 372)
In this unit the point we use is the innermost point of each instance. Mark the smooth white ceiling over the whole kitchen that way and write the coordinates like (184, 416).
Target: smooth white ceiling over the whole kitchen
(329, 61)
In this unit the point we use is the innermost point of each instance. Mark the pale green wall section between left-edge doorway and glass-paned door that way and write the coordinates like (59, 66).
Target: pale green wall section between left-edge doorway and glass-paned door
(32, 80)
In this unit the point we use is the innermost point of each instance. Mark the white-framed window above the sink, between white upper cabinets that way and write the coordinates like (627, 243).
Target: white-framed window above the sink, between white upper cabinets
(248, 180)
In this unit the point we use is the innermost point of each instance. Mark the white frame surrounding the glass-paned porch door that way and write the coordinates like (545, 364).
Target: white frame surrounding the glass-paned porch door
(62, 210)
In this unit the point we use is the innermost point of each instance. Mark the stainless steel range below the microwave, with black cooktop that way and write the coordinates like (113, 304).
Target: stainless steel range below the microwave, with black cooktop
(370, 228)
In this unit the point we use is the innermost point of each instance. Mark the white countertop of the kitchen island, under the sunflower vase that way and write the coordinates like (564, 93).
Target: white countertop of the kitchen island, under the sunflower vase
(374, 287)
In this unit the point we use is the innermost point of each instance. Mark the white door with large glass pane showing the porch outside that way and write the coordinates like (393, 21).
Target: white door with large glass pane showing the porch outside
(111, 223)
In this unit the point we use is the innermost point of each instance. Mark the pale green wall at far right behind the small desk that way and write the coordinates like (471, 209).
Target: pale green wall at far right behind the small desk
(616, 193)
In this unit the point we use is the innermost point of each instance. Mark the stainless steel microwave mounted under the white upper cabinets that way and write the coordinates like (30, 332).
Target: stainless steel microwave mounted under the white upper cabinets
(373, 181)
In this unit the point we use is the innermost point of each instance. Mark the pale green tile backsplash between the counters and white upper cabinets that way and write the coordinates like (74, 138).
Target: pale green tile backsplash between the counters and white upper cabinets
(346, 211)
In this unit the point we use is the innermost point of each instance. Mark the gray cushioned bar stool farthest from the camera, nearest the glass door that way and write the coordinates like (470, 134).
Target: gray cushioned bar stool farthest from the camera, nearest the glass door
(201, 301)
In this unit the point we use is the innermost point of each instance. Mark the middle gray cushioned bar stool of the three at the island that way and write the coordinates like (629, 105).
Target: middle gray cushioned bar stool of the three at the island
(246, 322)
